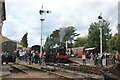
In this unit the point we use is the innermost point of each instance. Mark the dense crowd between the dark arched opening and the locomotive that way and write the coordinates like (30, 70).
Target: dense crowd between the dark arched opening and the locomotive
(30, 56)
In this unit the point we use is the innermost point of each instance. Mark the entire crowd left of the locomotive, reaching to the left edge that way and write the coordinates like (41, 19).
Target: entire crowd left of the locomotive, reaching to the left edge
(28, 55)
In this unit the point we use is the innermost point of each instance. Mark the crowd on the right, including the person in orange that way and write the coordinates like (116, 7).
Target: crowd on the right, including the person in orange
(102, 60)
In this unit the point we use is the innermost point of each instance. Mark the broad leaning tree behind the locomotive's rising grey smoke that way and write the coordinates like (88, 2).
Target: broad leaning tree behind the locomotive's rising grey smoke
(61, 35)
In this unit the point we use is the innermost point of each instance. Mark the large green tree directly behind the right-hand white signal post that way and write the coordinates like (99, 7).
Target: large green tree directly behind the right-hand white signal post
(94, 35)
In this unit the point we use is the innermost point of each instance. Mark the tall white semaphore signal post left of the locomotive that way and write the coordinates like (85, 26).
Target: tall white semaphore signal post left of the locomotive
(42, 12)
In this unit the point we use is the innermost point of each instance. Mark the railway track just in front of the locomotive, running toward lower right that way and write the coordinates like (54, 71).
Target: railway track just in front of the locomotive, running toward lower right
(78, 68)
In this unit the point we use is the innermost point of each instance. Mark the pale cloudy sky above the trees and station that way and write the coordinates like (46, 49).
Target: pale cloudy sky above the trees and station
(23, 16)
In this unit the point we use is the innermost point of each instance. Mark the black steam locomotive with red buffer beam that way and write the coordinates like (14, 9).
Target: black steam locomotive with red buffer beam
(57, 54)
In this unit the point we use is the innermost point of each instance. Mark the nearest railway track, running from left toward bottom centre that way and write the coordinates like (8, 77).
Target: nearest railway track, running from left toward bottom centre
(59, 74)
